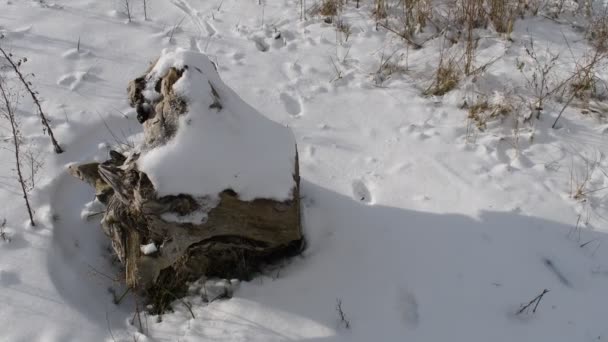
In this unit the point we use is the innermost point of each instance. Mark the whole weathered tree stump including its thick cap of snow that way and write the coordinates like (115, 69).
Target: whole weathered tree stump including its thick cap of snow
(213, 190)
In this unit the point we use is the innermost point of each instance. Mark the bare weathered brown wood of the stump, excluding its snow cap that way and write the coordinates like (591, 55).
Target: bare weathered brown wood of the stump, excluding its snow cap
(234, 241)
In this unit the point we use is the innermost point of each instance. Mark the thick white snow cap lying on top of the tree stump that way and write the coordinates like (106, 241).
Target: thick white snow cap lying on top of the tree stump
(233, 148)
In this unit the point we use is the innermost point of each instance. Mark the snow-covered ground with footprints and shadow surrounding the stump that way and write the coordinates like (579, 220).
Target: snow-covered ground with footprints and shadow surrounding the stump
(421, 227)
